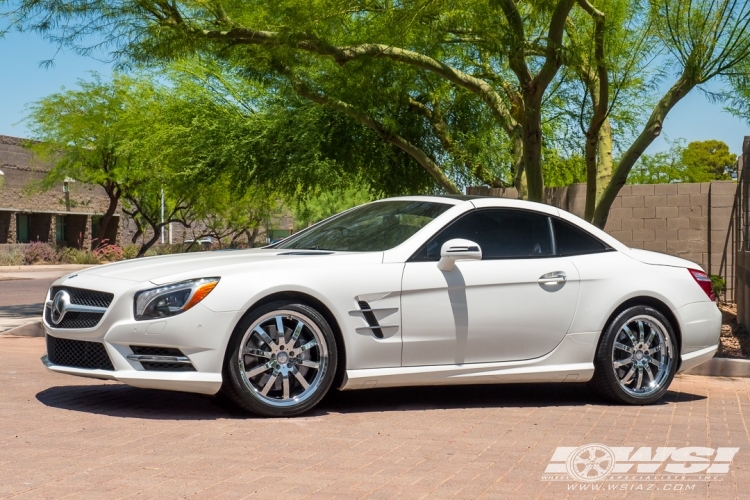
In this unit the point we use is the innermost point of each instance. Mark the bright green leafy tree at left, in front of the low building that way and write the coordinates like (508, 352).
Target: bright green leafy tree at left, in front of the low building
(154, 145)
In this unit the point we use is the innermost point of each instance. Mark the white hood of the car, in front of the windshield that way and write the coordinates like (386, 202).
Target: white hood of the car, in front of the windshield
(168, 268)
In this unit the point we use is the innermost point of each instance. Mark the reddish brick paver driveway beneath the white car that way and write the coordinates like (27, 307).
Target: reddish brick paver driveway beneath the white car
(62, 436)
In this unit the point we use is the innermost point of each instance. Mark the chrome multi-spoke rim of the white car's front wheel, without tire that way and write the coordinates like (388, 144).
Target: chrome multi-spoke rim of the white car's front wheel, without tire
(283, 358)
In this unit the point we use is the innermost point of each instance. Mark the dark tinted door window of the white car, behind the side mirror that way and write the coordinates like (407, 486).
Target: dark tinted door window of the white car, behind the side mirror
(501, 234)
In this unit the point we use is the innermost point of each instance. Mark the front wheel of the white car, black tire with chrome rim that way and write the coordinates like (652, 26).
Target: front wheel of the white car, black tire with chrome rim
(292, 398)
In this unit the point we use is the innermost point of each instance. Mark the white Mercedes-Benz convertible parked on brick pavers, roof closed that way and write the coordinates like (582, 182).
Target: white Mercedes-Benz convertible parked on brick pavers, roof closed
(405, 291)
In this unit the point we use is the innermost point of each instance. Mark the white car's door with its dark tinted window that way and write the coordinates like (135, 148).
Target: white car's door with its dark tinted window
(516, 303)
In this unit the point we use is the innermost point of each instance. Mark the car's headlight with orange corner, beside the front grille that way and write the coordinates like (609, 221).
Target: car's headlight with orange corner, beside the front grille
(170, 300)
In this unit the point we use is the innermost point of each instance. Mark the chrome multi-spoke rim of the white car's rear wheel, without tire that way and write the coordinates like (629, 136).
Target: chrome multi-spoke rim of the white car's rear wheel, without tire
(642, 356)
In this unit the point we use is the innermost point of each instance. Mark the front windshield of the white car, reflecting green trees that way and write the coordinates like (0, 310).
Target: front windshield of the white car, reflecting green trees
(370, 228)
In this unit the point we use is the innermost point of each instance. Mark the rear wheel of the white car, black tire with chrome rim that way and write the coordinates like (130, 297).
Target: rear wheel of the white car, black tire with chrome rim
(617, 383)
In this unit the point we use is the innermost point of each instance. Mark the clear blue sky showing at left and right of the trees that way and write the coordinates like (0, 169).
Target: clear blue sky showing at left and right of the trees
(24, 81)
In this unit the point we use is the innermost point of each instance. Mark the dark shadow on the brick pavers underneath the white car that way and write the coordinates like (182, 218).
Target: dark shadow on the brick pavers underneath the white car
(118, 400)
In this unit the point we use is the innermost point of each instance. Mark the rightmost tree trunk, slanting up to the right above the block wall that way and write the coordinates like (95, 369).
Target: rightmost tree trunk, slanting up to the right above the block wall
(650, 132)
